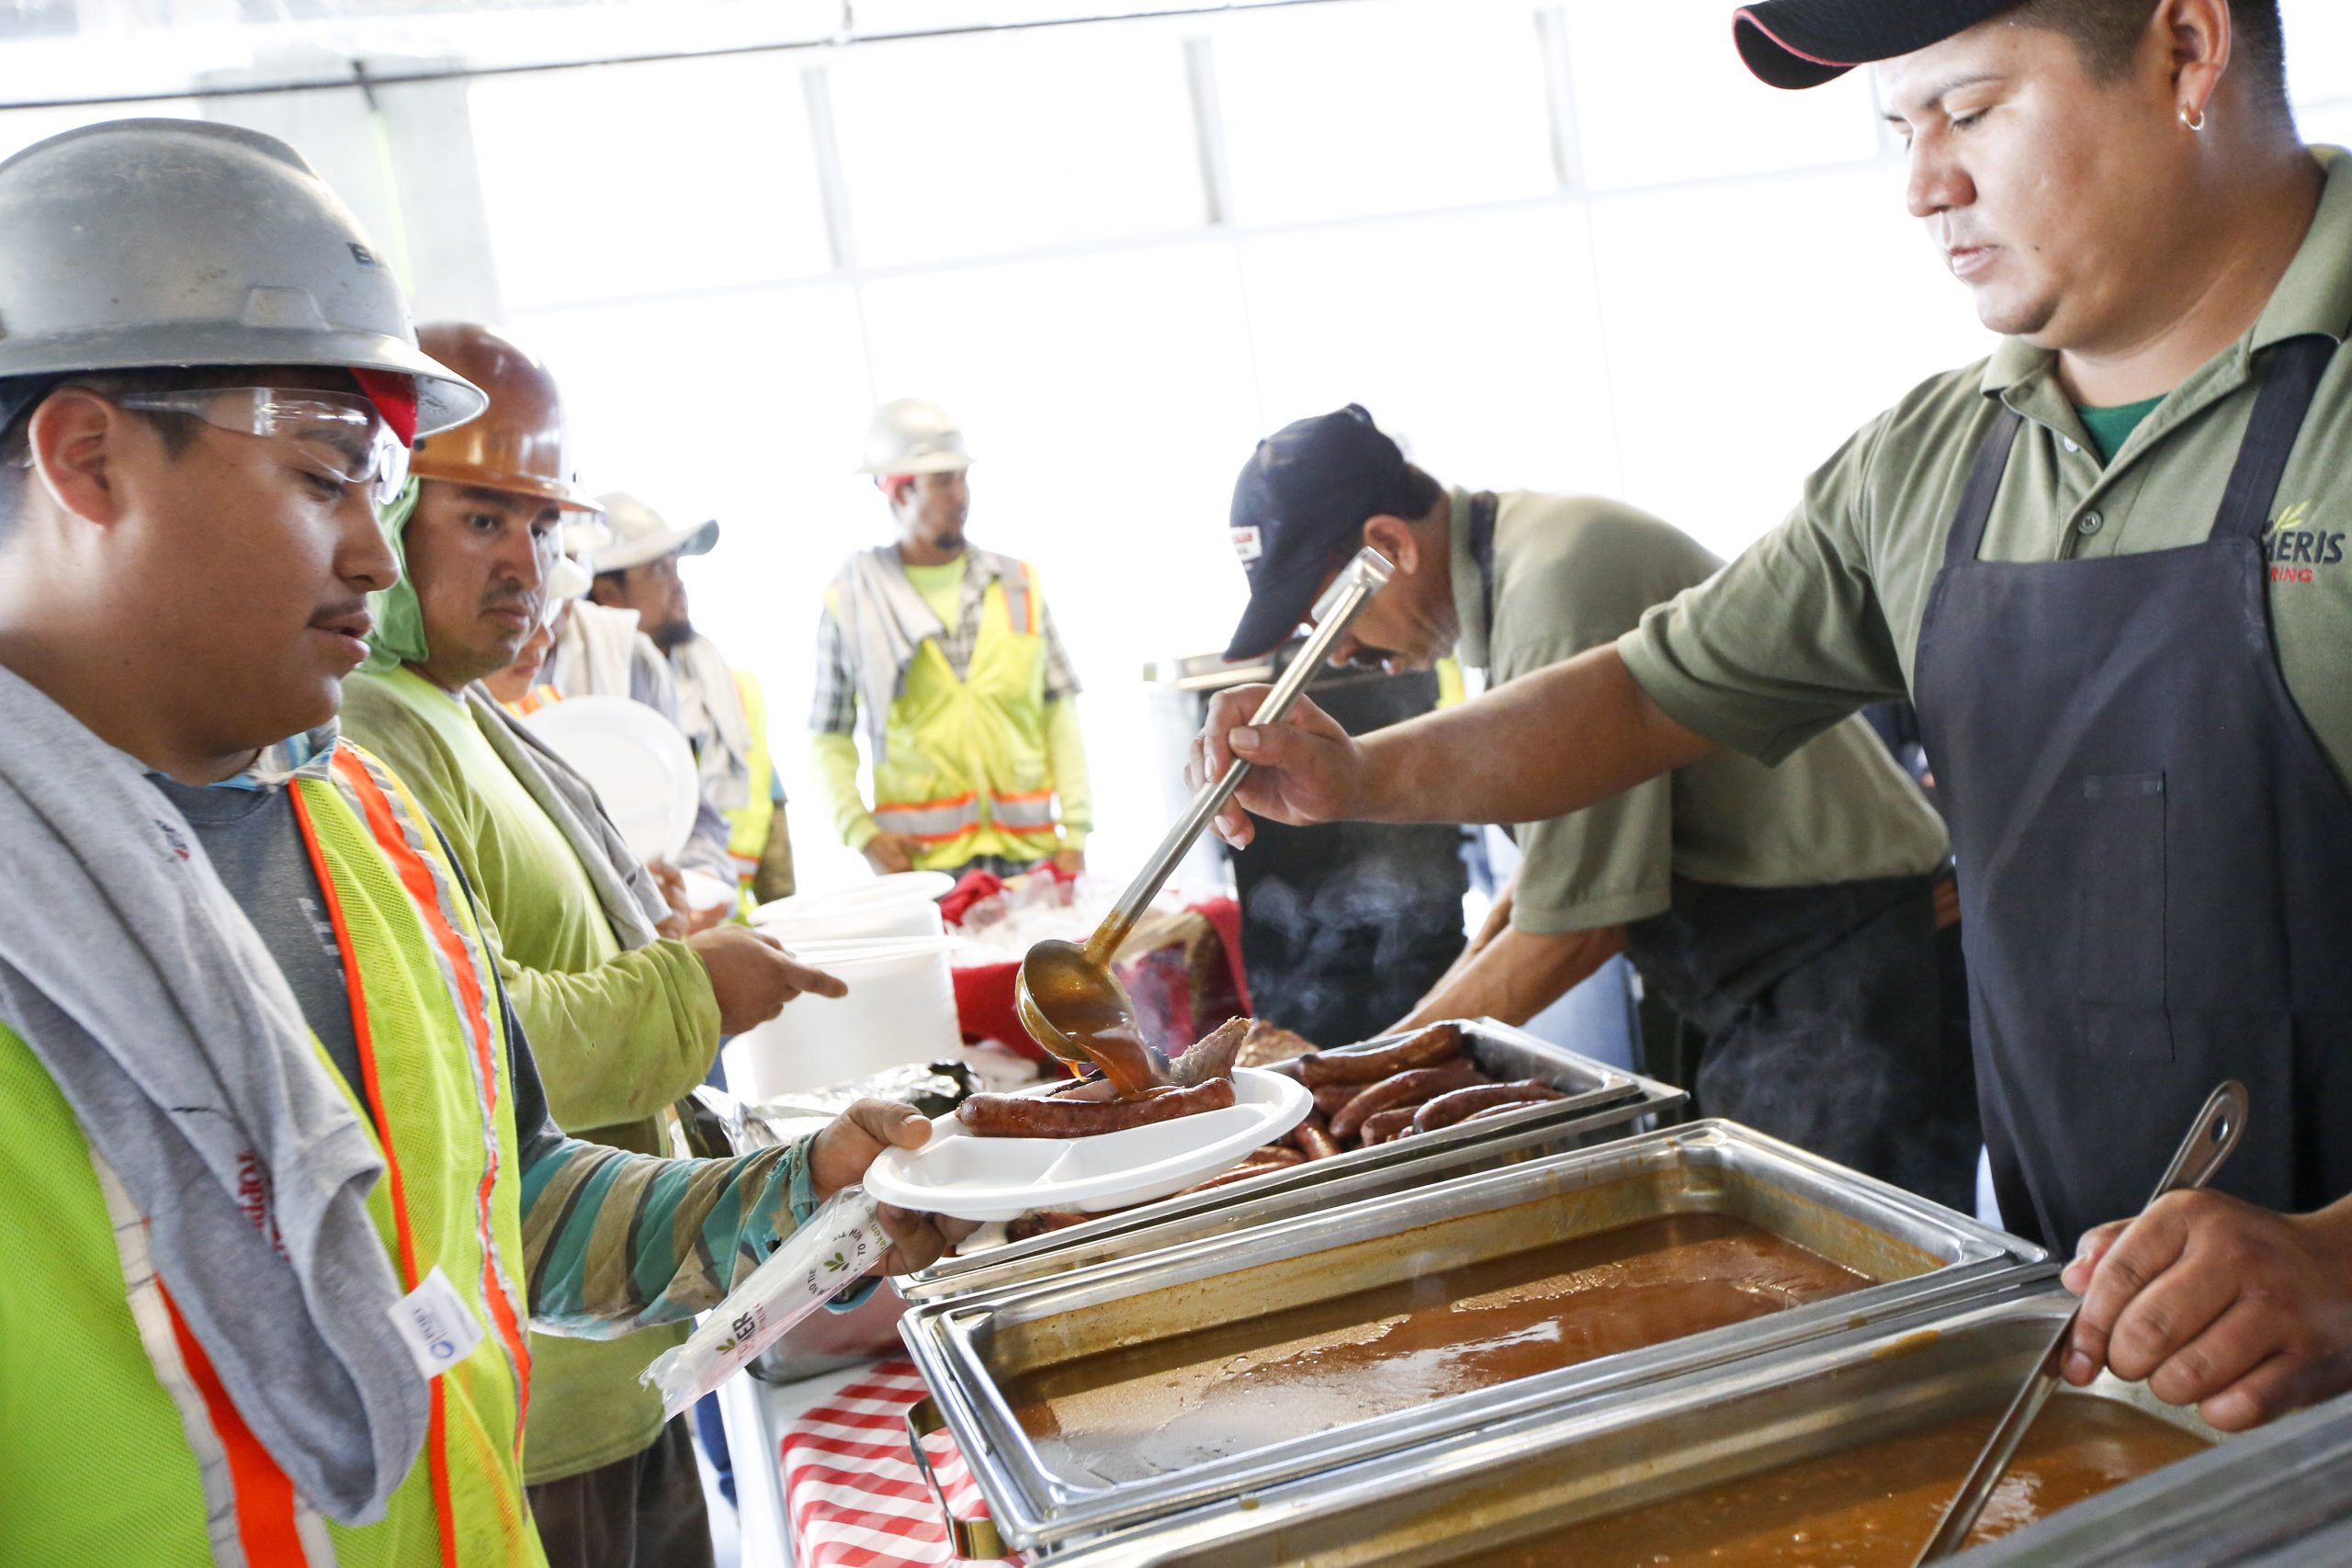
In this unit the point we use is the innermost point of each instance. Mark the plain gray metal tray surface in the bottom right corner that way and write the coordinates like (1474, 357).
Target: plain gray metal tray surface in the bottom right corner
(2271, 1499)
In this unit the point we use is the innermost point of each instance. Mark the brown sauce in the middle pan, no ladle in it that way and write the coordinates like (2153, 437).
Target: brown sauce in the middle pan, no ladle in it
(1215, 1393)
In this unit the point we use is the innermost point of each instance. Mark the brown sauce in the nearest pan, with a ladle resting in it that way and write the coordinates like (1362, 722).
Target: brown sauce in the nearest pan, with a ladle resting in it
(1871, 1506)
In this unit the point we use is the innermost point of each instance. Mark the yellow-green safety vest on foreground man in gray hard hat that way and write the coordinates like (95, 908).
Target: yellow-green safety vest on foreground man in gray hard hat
(119, 1442)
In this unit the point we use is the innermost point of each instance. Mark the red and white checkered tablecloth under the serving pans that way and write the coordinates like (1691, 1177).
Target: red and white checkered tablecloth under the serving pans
(853, 1492)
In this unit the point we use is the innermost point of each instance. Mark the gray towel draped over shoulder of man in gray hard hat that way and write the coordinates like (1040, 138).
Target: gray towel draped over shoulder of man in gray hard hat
(149, 998)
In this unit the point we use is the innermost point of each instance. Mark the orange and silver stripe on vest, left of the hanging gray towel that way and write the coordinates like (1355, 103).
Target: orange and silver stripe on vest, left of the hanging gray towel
(253, 1515)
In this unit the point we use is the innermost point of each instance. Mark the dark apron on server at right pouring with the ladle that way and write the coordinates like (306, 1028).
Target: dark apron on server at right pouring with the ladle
(2156, 857)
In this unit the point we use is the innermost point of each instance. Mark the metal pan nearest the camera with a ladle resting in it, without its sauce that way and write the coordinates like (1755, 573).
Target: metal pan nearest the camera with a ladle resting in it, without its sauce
(1565, 1466)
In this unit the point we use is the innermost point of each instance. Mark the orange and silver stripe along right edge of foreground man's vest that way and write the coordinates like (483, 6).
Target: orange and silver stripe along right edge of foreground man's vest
(401, 840)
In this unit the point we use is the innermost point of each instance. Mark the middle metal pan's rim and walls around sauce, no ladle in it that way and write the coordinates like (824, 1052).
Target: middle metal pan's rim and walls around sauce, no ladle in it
(1925, 1257)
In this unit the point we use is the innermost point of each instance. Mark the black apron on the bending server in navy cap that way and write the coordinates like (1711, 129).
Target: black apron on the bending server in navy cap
(1824, 1007)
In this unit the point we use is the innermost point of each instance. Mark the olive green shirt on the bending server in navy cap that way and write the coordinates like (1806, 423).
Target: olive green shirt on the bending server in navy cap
(1572, 572)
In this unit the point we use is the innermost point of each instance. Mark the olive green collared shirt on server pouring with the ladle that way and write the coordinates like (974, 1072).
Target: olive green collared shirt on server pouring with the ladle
(1824, 615)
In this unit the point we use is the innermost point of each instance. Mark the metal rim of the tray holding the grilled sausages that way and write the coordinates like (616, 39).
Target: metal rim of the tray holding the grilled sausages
(1598, 1104)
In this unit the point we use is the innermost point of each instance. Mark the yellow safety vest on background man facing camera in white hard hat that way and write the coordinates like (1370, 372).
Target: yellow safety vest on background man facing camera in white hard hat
(968, 770)
